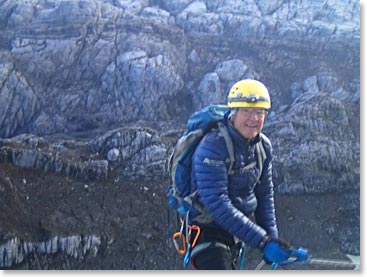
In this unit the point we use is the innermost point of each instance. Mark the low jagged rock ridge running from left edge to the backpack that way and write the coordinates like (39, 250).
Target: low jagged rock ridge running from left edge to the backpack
(138, 153)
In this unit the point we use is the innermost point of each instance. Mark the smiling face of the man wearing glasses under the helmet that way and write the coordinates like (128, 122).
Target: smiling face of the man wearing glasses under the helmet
(249, 121)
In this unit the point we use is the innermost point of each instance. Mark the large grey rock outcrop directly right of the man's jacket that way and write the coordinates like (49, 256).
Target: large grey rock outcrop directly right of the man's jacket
(318, 134)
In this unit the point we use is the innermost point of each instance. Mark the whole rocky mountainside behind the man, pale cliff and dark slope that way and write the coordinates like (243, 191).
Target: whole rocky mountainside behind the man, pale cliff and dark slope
(95, 93)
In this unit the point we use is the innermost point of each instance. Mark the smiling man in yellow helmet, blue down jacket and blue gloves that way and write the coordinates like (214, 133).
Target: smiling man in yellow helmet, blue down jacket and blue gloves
(238, 198)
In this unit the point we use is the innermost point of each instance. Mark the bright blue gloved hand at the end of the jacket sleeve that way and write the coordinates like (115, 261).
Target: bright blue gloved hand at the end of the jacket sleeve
(276, 251)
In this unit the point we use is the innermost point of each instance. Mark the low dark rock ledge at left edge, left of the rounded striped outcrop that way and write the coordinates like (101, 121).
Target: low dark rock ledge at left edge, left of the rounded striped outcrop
(29, 151)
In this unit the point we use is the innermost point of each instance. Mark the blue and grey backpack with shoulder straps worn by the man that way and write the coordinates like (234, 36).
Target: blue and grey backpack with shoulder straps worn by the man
(179, 166)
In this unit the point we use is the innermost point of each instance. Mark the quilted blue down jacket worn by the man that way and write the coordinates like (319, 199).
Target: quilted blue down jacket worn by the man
(231, 200)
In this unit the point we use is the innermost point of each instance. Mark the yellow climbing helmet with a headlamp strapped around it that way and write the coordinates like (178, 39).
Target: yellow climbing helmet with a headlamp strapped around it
(249, 94)
